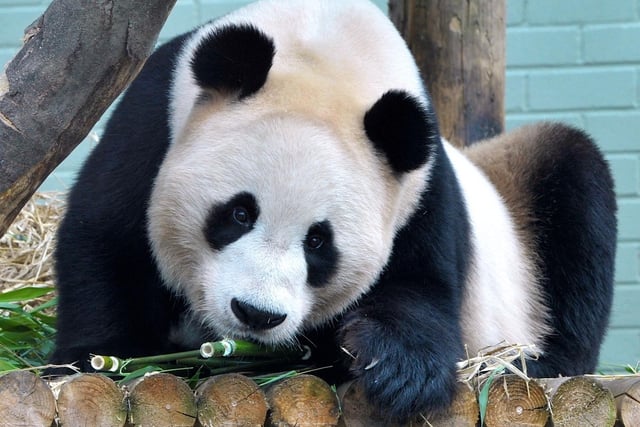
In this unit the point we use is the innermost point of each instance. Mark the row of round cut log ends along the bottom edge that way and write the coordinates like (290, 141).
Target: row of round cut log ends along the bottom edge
(303, 400)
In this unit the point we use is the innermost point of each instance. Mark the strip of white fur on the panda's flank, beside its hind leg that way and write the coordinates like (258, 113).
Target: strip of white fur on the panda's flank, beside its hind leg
(502, 295)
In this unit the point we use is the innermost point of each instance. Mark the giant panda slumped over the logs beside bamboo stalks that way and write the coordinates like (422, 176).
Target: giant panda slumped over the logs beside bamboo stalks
(278, 175)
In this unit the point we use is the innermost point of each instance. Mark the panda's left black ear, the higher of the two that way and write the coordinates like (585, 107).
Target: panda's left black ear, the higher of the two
(233, 58)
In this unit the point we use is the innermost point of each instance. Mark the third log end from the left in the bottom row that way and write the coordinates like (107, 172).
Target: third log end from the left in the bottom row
(161, 400)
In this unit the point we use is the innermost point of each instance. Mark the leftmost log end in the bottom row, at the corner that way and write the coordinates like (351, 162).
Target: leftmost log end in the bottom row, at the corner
(25, 400)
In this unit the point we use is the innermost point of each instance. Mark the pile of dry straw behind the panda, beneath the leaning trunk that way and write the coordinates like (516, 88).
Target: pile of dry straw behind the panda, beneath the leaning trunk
(26, 249)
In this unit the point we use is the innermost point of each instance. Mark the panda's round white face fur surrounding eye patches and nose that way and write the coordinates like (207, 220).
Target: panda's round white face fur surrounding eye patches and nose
(267, 268)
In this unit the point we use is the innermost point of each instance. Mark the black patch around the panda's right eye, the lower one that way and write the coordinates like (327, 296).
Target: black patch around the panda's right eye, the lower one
(320, 253)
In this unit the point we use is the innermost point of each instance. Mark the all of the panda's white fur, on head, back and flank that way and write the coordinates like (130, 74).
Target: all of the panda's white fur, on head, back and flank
(307, 116)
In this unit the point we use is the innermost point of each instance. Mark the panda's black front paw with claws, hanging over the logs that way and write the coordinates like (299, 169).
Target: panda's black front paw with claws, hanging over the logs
(400, 380)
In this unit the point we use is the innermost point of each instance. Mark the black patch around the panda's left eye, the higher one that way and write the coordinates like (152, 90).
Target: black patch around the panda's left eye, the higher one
(230, 220)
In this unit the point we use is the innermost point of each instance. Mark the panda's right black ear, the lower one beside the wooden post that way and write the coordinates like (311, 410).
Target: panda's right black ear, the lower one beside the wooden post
(402, 129)
